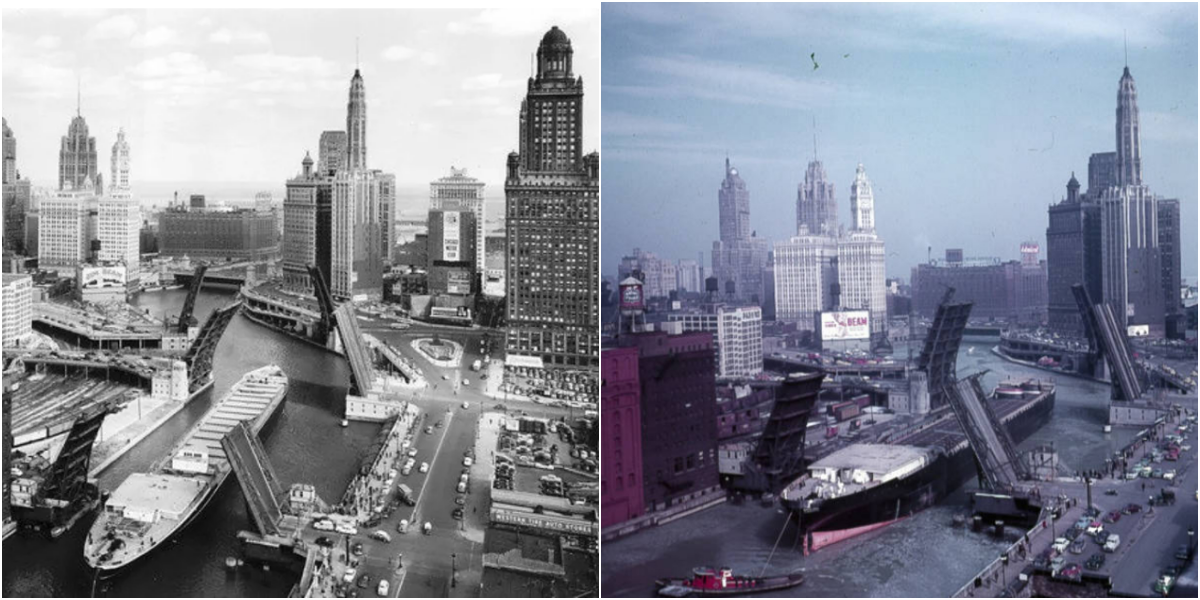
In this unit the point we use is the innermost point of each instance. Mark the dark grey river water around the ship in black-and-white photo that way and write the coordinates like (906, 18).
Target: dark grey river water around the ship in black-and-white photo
(305, 443)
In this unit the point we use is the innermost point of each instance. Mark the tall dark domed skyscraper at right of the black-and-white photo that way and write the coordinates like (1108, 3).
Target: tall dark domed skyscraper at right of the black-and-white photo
(553, 205)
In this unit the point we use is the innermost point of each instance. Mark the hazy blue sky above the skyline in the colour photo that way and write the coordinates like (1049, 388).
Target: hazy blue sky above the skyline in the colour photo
(969, 119)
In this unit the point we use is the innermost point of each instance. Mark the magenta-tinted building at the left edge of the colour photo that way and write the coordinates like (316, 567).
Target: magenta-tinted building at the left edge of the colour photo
(621, 448)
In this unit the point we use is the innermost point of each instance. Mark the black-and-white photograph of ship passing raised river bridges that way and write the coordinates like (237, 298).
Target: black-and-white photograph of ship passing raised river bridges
(302, 303)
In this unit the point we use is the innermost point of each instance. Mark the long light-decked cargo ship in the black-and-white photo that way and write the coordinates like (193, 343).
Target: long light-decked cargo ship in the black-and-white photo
(149, 509)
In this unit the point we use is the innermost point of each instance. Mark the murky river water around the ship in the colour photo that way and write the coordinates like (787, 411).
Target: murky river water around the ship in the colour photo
(922, 556)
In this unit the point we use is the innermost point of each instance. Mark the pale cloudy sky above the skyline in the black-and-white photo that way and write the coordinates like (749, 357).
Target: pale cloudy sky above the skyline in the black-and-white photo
(241, 95)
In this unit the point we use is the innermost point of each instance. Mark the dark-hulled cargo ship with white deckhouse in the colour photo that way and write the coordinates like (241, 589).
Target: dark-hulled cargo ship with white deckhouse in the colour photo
(867, 487)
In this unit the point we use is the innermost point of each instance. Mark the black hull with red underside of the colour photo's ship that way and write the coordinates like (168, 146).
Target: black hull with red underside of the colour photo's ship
(841, 519)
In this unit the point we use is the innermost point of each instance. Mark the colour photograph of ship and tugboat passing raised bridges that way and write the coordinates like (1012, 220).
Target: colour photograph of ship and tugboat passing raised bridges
(899, 301)
